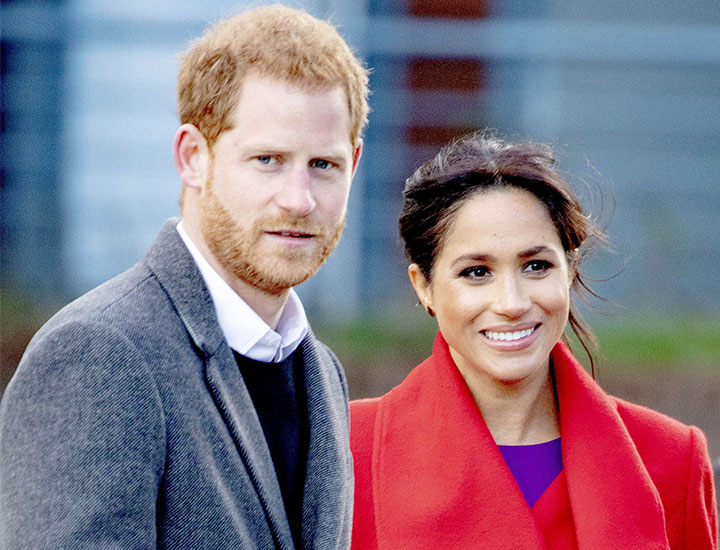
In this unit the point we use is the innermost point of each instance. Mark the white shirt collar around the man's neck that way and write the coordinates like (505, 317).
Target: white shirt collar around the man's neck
(244, 330)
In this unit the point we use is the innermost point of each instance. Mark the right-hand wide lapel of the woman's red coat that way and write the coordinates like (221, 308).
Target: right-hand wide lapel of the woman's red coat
(613, 500)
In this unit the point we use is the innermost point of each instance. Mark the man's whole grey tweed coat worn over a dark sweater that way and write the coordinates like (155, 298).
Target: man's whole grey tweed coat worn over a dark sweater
(128, 426)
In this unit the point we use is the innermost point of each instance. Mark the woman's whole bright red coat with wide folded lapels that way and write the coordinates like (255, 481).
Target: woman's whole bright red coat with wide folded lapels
(428, 474)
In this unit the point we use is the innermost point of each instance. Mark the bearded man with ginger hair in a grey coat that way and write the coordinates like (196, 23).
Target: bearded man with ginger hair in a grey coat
(185, 403)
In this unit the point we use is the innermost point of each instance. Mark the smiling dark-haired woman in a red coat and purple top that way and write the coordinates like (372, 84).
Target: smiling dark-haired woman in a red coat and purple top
(500, 440)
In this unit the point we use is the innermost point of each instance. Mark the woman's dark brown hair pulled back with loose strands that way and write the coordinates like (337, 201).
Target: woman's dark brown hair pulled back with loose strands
(479, 162)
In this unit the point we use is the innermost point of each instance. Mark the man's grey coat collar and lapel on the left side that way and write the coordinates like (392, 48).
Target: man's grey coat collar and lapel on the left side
(176, 271)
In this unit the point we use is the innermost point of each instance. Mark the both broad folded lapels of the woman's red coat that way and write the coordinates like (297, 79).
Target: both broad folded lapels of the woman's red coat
(434, 454)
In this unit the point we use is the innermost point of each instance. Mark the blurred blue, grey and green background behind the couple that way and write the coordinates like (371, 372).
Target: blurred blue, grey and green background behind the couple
(627, 92)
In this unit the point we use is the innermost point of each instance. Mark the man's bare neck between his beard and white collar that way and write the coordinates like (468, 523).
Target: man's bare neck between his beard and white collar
(269, 307)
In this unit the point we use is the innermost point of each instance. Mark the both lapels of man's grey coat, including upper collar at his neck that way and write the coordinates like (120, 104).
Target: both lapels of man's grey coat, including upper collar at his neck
(326, 487)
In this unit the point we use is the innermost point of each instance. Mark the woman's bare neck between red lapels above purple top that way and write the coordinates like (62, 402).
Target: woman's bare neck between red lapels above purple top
(518, 413)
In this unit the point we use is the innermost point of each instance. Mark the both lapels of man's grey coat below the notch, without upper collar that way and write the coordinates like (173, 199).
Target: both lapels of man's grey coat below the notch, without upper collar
(327, 496)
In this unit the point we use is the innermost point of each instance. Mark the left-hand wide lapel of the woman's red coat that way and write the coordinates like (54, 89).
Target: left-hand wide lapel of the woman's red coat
(435, 455)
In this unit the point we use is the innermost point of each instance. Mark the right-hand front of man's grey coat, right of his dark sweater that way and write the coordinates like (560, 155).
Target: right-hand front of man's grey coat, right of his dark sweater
(328, 483)
